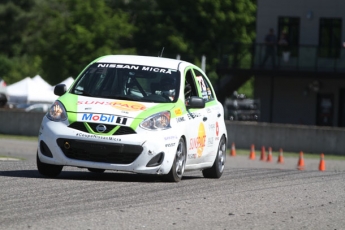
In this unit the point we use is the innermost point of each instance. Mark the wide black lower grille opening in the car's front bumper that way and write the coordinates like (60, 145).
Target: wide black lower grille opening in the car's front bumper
(99, 152)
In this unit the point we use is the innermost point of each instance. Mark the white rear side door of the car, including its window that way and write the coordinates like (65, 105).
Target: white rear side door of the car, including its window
(209, 117)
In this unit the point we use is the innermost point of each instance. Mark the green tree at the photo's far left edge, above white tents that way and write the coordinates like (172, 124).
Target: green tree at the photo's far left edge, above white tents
(15, 17)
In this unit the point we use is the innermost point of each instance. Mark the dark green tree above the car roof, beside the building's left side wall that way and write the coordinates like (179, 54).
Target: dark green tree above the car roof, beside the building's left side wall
(192, 28)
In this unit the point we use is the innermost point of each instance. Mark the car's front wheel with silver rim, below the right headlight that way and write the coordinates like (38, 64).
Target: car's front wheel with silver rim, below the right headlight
(177, 169)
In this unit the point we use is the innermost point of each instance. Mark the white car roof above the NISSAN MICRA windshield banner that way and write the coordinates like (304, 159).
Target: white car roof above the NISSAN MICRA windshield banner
(142, 60)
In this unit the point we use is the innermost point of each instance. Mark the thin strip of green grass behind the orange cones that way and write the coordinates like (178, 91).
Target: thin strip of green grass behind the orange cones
(244, 152)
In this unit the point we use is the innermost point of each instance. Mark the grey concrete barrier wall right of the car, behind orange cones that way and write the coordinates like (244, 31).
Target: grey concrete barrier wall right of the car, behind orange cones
(294, 138)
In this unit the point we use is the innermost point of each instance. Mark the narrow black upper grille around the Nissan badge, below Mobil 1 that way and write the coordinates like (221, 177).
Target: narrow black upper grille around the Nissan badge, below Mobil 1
(123, 130)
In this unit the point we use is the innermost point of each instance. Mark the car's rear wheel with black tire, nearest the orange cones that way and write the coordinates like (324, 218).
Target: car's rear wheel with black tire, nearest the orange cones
(217, 169)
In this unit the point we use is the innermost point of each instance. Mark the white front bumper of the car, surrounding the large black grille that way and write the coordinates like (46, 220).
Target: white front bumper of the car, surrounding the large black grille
(140, 152)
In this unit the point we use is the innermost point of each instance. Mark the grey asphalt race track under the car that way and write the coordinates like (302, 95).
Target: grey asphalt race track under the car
(251, 194)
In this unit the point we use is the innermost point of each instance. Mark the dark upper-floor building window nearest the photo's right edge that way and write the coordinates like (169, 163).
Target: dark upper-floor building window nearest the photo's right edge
(330, 37)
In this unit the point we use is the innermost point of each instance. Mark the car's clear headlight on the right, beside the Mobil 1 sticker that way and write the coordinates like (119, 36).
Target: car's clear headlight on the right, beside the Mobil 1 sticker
(158, 121)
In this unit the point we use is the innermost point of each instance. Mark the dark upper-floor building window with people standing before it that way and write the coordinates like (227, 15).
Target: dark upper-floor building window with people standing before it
(290, 26)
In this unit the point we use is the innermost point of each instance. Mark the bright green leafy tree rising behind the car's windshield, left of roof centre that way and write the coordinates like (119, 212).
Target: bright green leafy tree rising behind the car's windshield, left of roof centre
(75, 33)
